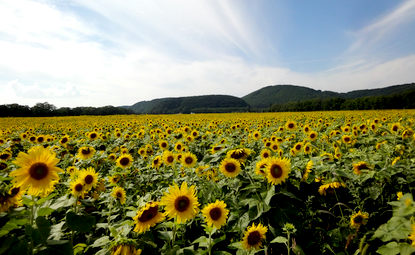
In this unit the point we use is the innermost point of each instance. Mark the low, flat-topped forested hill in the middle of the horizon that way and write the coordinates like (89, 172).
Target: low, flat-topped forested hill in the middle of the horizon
(196, 104)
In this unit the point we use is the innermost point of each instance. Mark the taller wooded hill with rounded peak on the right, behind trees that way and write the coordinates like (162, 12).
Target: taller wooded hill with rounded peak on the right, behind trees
(265, 97)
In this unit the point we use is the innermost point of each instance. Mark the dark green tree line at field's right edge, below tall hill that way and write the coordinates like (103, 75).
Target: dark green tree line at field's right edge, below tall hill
(404, 100)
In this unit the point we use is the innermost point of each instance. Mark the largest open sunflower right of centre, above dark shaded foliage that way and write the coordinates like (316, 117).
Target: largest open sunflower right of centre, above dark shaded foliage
(277, 170)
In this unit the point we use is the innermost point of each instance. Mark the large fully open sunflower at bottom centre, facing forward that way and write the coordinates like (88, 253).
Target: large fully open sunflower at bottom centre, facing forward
(181, 203)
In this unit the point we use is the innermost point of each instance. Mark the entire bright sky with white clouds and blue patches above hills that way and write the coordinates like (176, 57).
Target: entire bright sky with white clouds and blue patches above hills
(96, 53)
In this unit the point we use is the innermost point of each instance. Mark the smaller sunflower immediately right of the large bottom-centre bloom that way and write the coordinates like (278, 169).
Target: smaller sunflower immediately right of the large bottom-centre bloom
(216, 214)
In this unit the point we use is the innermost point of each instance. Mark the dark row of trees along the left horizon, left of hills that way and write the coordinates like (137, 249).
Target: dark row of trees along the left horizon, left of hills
(46, 110)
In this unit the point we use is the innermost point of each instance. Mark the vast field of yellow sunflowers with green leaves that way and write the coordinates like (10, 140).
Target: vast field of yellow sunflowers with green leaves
(266, 183)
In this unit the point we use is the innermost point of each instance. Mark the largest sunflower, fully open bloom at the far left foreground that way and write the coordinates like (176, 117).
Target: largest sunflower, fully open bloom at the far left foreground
(38, 172)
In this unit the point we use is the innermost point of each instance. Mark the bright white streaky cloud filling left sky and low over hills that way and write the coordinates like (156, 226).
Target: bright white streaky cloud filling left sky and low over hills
(48, 54)
